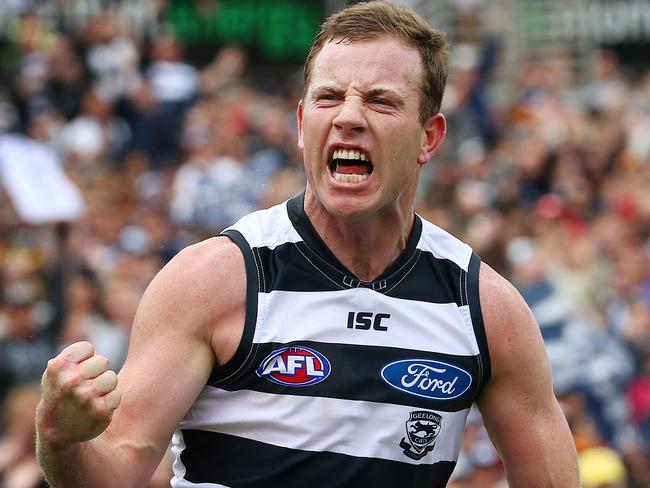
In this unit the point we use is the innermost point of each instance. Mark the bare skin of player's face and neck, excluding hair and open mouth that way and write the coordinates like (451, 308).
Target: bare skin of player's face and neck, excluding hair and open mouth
(366, 95)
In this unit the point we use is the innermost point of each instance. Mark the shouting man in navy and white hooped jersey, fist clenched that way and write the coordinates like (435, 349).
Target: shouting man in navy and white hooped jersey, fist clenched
(335, 340)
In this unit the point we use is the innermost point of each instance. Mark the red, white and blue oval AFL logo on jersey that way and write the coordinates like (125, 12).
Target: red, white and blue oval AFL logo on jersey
(295, 366)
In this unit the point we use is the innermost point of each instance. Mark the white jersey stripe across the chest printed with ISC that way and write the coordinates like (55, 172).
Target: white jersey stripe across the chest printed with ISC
(323, 317)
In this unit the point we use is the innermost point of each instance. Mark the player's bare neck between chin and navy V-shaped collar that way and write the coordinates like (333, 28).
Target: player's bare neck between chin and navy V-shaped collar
(364, 245)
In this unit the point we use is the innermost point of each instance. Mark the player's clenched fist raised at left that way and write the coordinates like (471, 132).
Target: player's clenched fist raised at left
(79, 396)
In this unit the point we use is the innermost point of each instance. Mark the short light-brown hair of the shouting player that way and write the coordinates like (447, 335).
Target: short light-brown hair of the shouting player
(370, 20)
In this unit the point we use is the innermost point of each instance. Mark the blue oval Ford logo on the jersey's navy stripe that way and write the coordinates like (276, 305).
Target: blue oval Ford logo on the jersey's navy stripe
(427, 378)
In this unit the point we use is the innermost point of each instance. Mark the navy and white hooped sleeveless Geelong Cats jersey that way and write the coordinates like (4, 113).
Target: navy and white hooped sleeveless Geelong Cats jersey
(338, 381)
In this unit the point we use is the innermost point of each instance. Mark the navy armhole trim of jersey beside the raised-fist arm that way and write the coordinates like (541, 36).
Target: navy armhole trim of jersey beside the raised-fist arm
(228, 372)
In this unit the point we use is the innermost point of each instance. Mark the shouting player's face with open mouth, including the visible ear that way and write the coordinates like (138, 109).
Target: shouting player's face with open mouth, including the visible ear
(359, 127)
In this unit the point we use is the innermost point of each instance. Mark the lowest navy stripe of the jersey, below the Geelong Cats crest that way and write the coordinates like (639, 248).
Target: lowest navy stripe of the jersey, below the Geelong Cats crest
(244, 463)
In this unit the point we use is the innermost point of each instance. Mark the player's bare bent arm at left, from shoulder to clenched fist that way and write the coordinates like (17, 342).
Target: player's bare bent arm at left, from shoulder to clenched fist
(185, 316)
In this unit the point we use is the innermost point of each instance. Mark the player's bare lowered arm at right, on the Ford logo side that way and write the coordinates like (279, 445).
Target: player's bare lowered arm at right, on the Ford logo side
(518, 406)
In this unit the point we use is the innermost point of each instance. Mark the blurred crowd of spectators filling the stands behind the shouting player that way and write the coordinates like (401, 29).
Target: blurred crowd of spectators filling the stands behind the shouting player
(550, 185)
